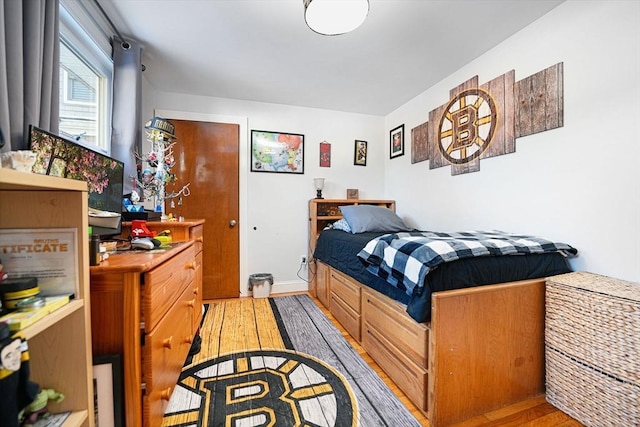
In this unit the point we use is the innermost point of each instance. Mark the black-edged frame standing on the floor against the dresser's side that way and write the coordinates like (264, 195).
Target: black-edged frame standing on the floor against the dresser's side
(108, 391)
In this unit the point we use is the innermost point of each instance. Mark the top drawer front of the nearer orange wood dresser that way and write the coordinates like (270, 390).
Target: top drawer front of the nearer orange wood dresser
(164, 284)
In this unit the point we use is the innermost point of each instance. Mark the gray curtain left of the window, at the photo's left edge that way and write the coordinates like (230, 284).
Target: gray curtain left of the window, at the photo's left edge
(29, 69)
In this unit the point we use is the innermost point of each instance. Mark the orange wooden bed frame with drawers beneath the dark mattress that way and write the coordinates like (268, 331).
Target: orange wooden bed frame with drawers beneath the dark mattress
(483, 348)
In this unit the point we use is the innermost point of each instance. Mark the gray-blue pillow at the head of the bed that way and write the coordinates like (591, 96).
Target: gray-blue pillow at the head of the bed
(363, 218)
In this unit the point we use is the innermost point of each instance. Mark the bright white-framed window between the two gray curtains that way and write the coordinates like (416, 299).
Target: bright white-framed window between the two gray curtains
(85, 87)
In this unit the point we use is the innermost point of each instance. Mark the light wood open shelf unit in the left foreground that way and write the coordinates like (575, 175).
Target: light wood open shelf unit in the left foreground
(60, 343)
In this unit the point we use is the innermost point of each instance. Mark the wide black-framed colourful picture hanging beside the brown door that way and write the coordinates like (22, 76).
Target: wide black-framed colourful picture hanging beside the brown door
(278, 152)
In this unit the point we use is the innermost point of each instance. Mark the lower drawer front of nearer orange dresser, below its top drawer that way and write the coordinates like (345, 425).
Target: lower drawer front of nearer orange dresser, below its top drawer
(163, 355)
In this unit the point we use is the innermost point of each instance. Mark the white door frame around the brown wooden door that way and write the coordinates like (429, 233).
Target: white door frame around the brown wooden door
(243, 171)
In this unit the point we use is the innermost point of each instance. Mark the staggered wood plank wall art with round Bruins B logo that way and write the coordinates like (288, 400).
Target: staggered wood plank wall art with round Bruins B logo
(481, 121)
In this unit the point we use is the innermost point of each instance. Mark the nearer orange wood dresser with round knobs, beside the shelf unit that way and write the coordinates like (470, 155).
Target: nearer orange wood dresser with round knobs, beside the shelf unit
(147, 307)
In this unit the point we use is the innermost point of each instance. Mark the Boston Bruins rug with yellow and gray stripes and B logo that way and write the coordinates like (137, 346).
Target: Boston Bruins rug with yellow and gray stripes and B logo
(278, 362)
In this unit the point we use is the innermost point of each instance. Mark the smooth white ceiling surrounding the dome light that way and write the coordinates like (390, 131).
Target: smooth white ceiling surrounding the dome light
(261, 50)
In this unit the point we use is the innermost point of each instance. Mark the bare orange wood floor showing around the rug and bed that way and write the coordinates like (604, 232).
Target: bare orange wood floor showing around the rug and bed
(533, 412)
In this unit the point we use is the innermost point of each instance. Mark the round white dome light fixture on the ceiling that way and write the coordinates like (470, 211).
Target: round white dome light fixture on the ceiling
(334, 17)
